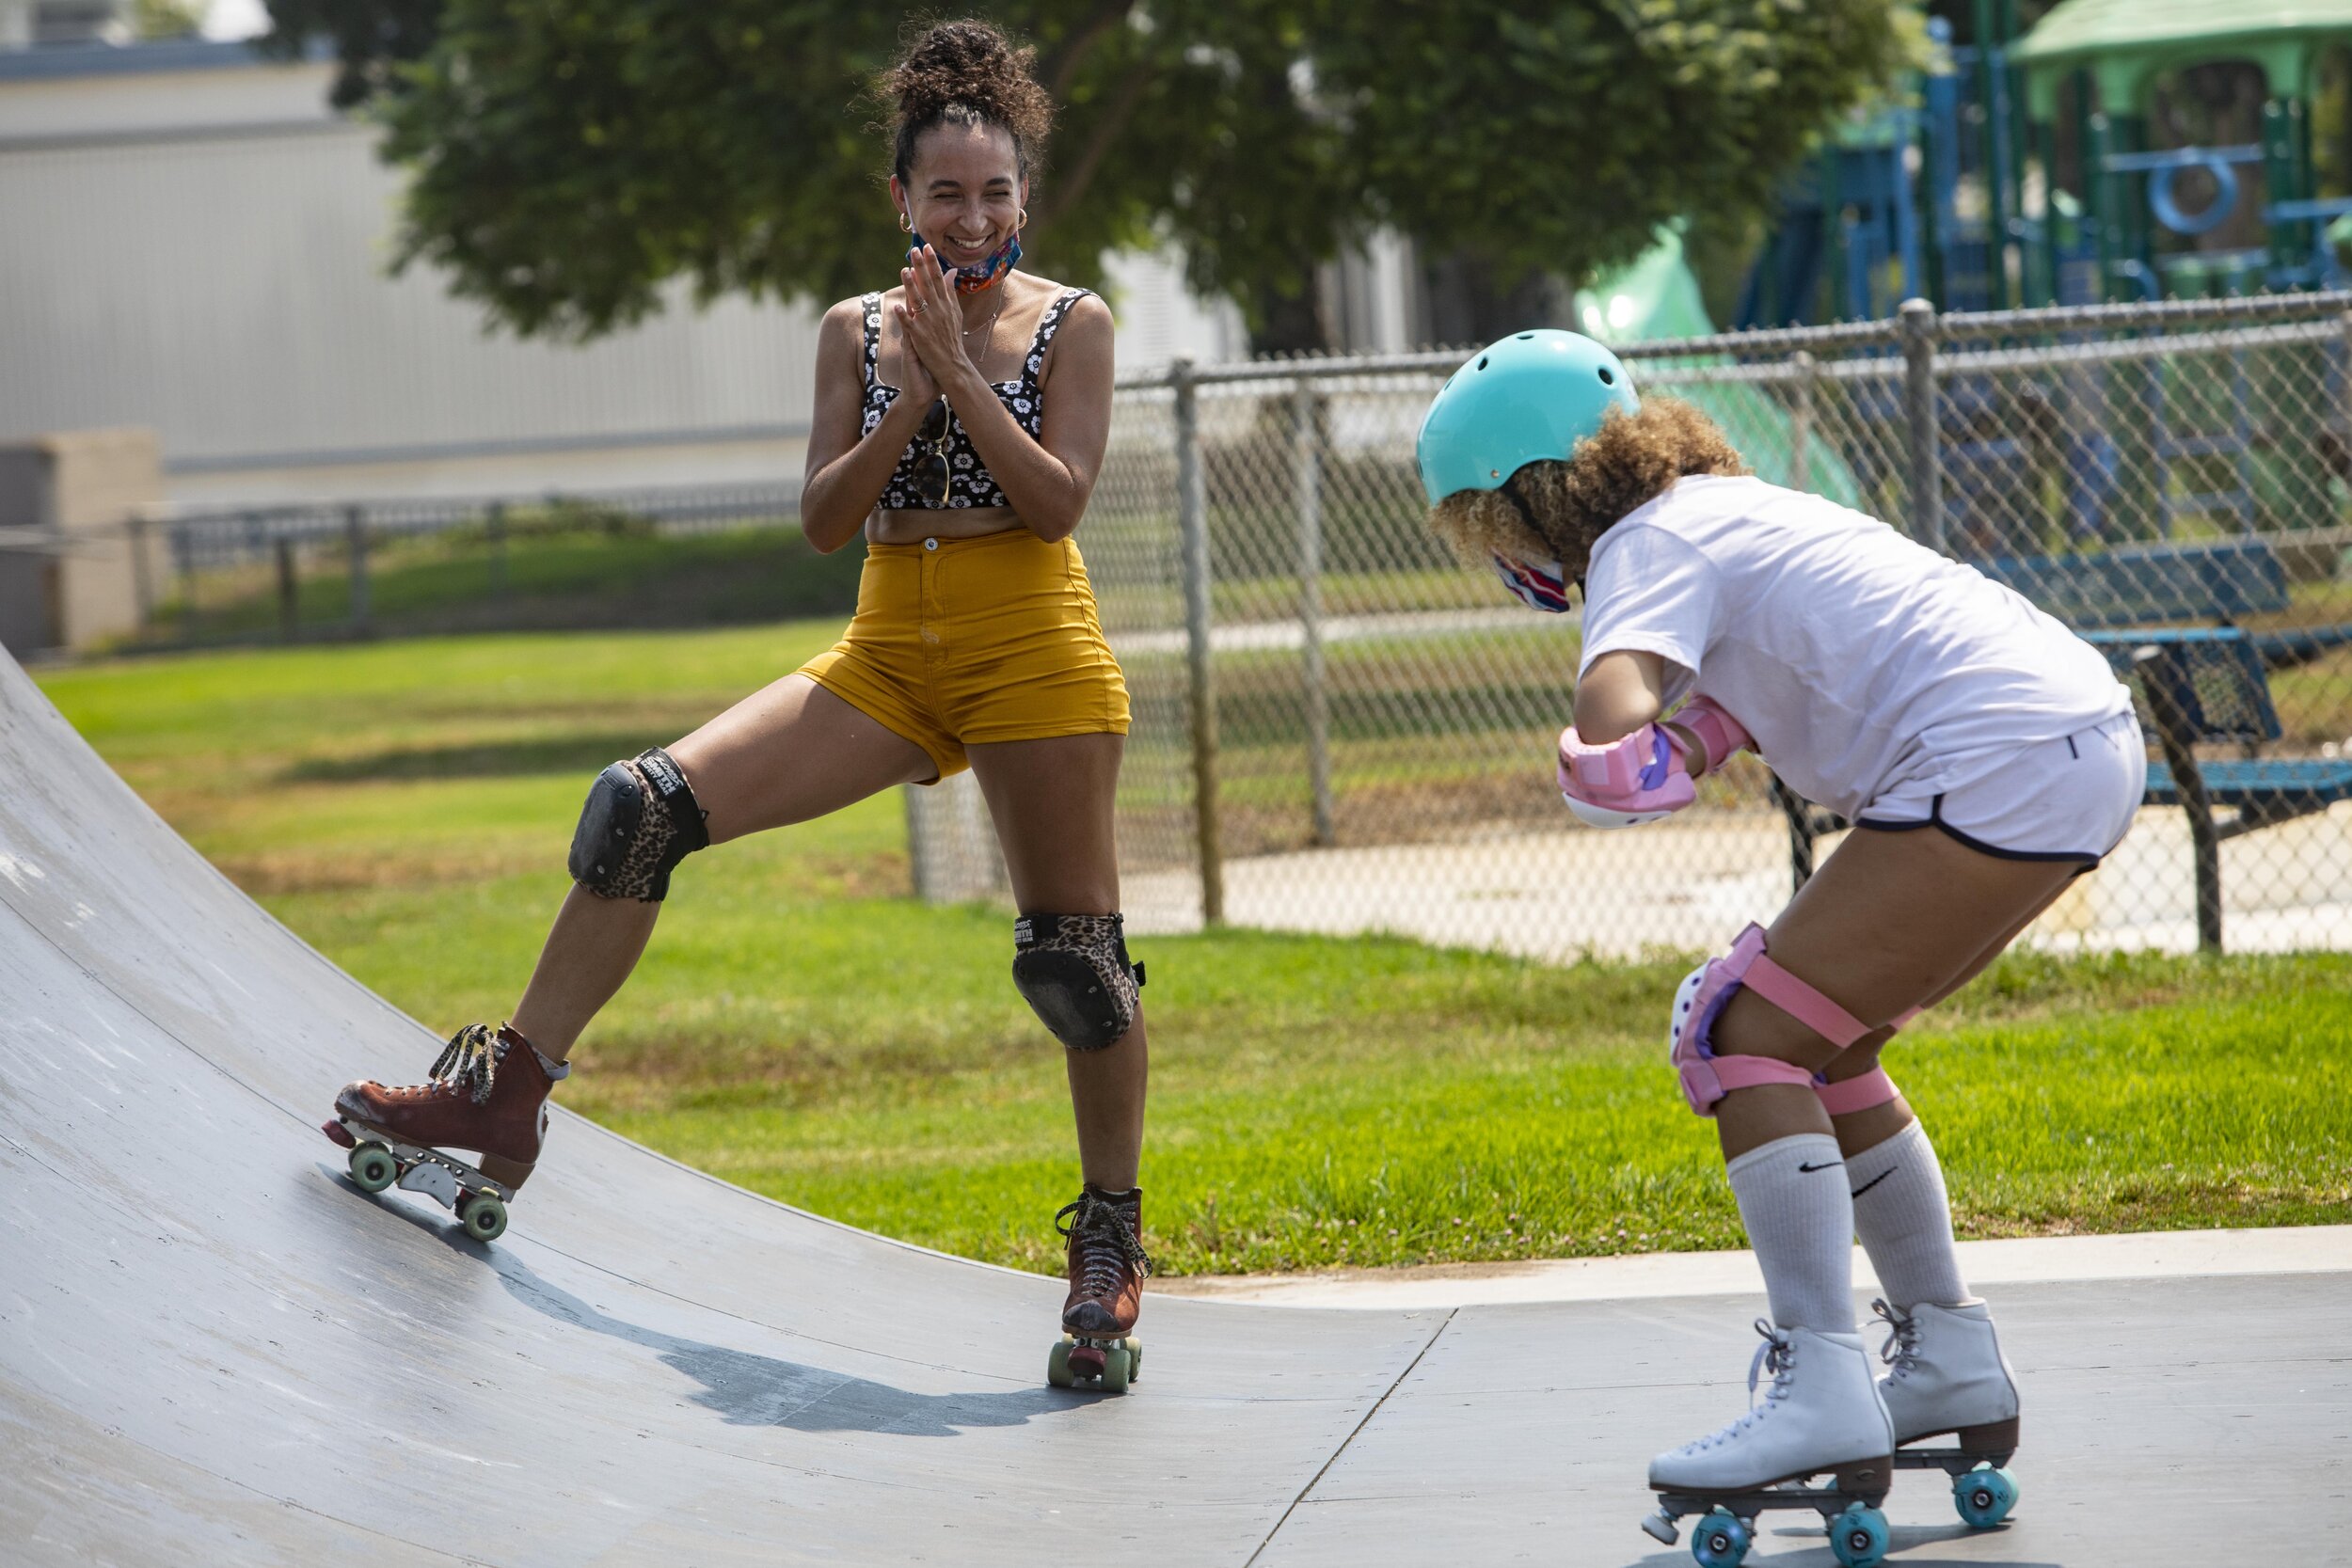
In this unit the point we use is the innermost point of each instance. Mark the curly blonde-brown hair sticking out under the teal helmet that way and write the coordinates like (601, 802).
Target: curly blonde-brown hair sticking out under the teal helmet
(1615, 471)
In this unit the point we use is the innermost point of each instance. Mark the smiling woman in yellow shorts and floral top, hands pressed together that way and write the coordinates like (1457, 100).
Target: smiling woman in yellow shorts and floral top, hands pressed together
(961, 424)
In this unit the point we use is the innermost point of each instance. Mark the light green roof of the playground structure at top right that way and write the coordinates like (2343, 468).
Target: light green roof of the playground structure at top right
(2125, 43)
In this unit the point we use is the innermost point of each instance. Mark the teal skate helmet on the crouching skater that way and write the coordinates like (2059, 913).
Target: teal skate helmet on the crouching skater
(1532, 396)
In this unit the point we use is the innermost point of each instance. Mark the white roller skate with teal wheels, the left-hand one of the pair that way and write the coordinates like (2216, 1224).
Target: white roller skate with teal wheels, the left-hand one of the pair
(1819, 1416)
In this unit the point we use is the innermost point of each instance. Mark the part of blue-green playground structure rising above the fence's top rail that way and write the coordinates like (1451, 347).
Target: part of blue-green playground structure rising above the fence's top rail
(2024, 170)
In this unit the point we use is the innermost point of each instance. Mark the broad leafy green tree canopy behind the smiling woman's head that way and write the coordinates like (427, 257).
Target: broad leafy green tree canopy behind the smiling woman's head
(570, 161)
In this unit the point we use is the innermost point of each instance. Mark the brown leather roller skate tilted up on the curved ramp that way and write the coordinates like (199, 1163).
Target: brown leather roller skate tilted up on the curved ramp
(488, 1092)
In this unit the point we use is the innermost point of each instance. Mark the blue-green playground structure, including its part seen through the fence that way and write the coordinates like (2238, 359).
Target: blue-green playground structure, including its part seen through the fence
(2024, 173)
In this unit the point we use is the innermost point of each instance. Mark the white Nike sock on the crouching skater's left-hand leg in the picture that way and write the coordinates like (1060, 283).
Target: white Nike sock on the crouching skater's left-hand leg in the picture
(1800, 1221)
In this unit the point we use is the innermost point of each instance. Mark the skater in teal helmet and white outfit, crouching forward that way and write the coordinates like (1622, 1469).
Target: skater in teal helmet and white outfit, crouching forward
(1897, 688)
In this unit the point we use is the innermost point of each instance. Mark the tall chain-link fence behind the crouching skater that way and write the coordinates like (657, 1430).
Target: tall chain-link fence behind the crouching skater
(1339, 730)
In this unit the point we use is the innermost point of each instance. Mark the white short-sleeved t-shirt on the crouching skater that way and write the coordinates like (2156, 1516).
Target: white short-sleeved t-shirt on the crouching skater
(1855, 657)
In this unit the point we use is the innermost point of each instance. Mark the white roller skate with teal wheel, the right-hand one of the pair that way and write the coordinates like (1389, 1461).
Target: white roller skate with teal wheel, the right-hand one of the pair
(1949, 1379)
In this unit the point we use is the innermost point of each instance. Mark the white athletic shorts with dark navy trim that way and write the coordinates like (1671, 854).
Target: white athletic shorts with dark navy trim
(2052, 800)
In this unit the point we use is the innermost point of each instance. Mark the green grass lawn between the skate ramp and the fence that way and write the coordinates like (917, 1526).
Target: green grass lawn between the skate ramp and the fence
(808, 1031)
